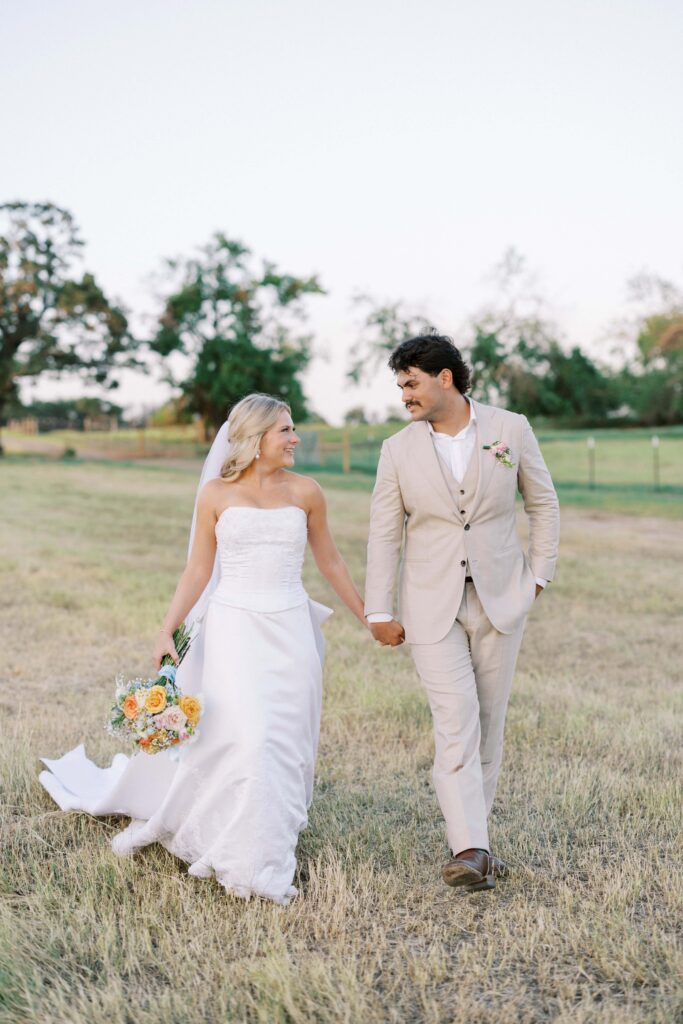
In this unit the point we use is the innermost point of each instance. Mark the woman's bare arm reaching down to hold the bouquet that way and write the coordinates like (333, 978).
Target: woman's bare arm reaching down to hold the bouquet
(195, 577)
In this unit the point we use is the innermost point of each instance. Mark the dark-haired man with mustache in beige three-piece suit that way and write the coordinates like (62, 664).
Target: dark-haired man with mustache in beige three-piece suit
(446, 494)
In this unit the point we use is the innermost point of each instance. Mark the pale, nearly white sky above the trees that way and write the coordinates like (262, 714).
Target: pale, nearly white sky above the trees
(393, 148)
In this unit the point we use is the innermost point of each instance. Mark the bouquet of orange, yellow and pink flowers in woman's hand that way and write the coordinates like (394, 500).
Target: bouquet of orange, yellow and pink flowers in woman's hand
(154, 713)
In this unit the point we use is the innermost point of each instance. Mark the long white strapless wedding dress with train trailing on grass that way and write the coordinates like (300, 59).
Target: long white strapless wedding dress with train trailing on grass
(232, 803)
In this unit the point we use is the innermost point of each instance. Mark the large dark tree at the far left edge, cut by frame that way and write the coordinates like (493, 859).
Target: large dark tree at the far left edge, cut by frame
(52, 321)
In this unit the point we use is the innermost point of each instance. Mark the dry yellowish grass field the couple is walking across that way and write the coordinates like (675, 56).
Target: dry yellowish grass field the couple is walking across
(587, 929)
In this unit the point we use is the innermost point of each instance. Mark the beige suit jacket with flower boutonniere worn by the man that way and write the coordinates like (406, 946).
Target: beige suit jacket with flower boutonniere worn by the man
(416, 526)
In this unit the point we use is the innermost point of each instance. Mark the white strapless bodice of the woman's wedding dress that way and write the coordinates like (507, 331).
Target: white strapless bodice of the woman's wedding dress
(261, 552)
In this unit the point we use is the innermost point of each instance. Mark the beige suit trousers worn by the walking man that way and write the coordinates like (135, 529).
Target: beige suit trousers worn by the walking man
(467, 676)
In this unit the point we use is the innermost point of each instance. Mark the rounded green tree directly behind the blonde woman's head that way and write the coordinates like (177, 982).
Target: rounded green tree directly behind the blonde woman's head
(238, 325)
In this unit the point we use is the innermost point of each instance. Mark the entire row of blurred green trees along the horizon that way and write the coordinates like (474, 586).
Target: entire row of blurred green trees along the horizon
(239, 323)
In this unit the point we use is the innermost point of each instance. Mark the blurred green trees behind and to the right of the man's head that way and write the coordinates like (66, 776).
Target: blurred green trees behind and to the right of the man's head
(520, 362)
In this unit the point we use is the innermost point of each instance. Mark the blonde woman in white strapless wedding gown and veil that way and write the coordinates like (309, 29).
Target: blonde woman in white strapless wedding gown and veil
(232, 804)
